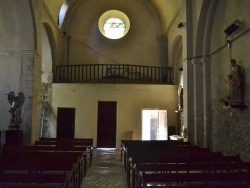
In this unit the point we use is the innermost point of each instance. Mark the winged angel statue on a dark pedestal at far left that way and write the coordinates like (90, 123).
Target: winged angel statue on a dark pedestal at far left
(16, 110)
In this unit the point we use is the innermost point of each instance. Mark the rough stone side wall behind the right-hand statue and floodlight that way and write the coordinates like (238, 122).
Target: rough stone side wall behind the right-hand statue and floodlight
(230, 126)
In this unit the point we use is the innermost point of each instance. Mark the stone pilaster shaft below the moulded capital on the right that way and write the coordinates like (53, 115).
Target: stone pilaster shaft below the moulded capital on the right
(202, 104)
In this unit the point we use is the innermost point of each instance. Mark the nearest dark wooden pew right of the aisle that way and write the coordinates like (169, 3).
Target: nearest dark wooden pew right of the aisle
(141, 170)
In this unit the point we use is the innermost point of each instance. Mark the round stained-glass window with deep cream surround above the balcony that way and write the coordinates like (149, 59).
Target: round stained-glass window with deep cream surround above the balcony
(114, 24)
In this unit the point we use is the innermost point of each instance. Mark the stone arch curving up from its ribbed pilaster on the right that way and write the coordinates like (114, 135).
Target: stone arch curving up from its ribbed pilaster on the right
(202, 77)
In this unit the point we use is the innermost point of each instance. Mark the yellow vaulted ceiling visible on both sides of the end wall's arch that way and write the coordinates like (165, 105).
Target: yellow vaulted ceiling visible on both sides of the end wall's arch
(167, 9)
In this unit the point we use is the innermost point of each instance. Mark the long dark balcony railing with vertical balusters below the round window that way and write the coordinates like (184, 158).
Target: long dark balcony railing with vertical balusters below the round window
(110, 73)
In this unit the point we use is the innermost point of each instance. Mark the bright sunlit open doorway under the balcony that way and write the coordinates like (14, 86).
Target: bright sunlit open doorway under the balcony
(154, 124)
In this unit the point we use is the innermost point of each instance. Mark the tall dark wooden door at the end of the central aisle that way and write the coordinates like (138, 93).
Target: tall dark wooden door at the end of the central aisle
(106, 128)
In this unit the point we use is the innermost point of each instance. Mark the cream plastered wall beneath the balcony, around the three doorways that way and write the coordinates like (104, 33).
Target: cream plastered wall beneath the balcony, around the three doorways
(131, 99)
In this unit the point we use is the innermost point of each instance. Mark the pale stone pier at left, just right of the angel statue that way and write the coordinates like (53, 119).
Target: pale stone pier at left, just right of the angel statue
(31, 85)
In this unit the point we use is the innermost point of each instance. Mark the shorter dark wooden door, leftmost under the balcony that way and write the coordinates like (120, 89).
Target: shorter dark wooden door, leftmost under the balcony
(65, 122)
